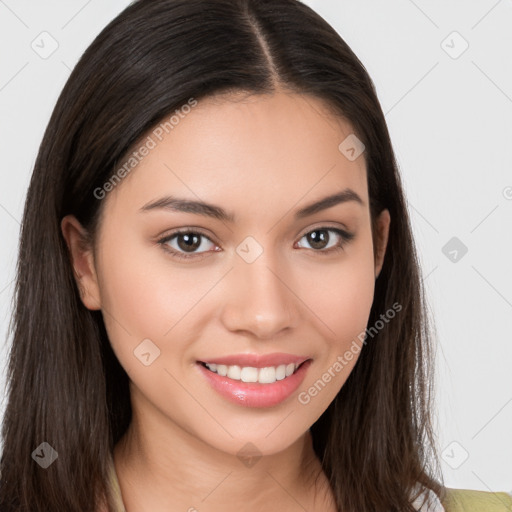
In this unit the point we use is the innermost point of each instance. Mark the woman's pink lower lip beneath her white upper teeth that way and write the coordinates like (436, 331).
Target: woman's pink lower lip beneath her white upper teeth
(254, 394)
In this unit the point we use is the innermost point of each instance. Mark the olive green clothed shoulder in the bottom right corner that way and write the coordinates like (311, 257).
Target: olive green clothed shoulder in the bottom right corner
(465, 500)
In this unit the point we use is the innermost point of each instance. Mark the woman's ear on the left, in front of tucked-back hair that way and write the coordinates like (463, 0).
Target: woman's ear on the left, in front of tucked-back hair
(82, 260)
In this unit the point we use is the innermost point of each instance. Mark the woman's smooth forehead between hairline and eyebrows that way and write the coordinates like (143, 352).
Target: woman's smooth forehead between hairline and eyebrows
(260, 152)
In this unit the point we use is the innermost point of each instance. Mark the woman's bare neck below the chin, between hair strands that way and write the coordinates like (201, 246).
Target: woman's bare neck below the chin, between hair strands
(177, 471)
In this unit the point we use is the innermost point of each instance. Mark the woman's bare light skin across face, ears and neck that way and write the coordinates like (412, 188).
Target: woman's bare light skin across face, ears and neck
(261, 158)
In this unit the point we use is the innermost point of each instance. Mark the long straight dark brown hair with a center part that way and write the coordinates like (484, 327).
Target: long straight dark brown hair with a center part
(65, 386)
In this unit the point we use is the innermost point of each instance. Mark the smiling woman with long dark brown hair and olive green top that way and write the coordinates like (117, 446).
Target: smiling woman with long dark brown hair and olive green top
(218, 301)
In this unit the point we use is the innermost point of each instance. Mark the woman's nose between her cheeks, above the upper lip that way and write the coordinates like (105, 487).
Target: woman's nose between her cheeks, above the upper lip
(259, 300)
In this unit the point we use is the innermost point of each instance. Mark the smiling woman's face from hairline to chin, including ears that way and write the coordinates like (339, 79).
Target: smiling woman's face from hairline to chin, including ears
(259, 283)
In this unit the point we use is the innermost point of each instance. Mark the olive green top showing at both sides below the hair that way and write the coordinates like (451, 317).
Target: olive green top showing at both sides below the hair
(456, 500)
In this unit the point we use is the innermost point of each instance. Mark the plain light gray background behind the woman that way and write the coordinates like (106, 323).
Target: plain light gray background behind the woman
(449, 111)
